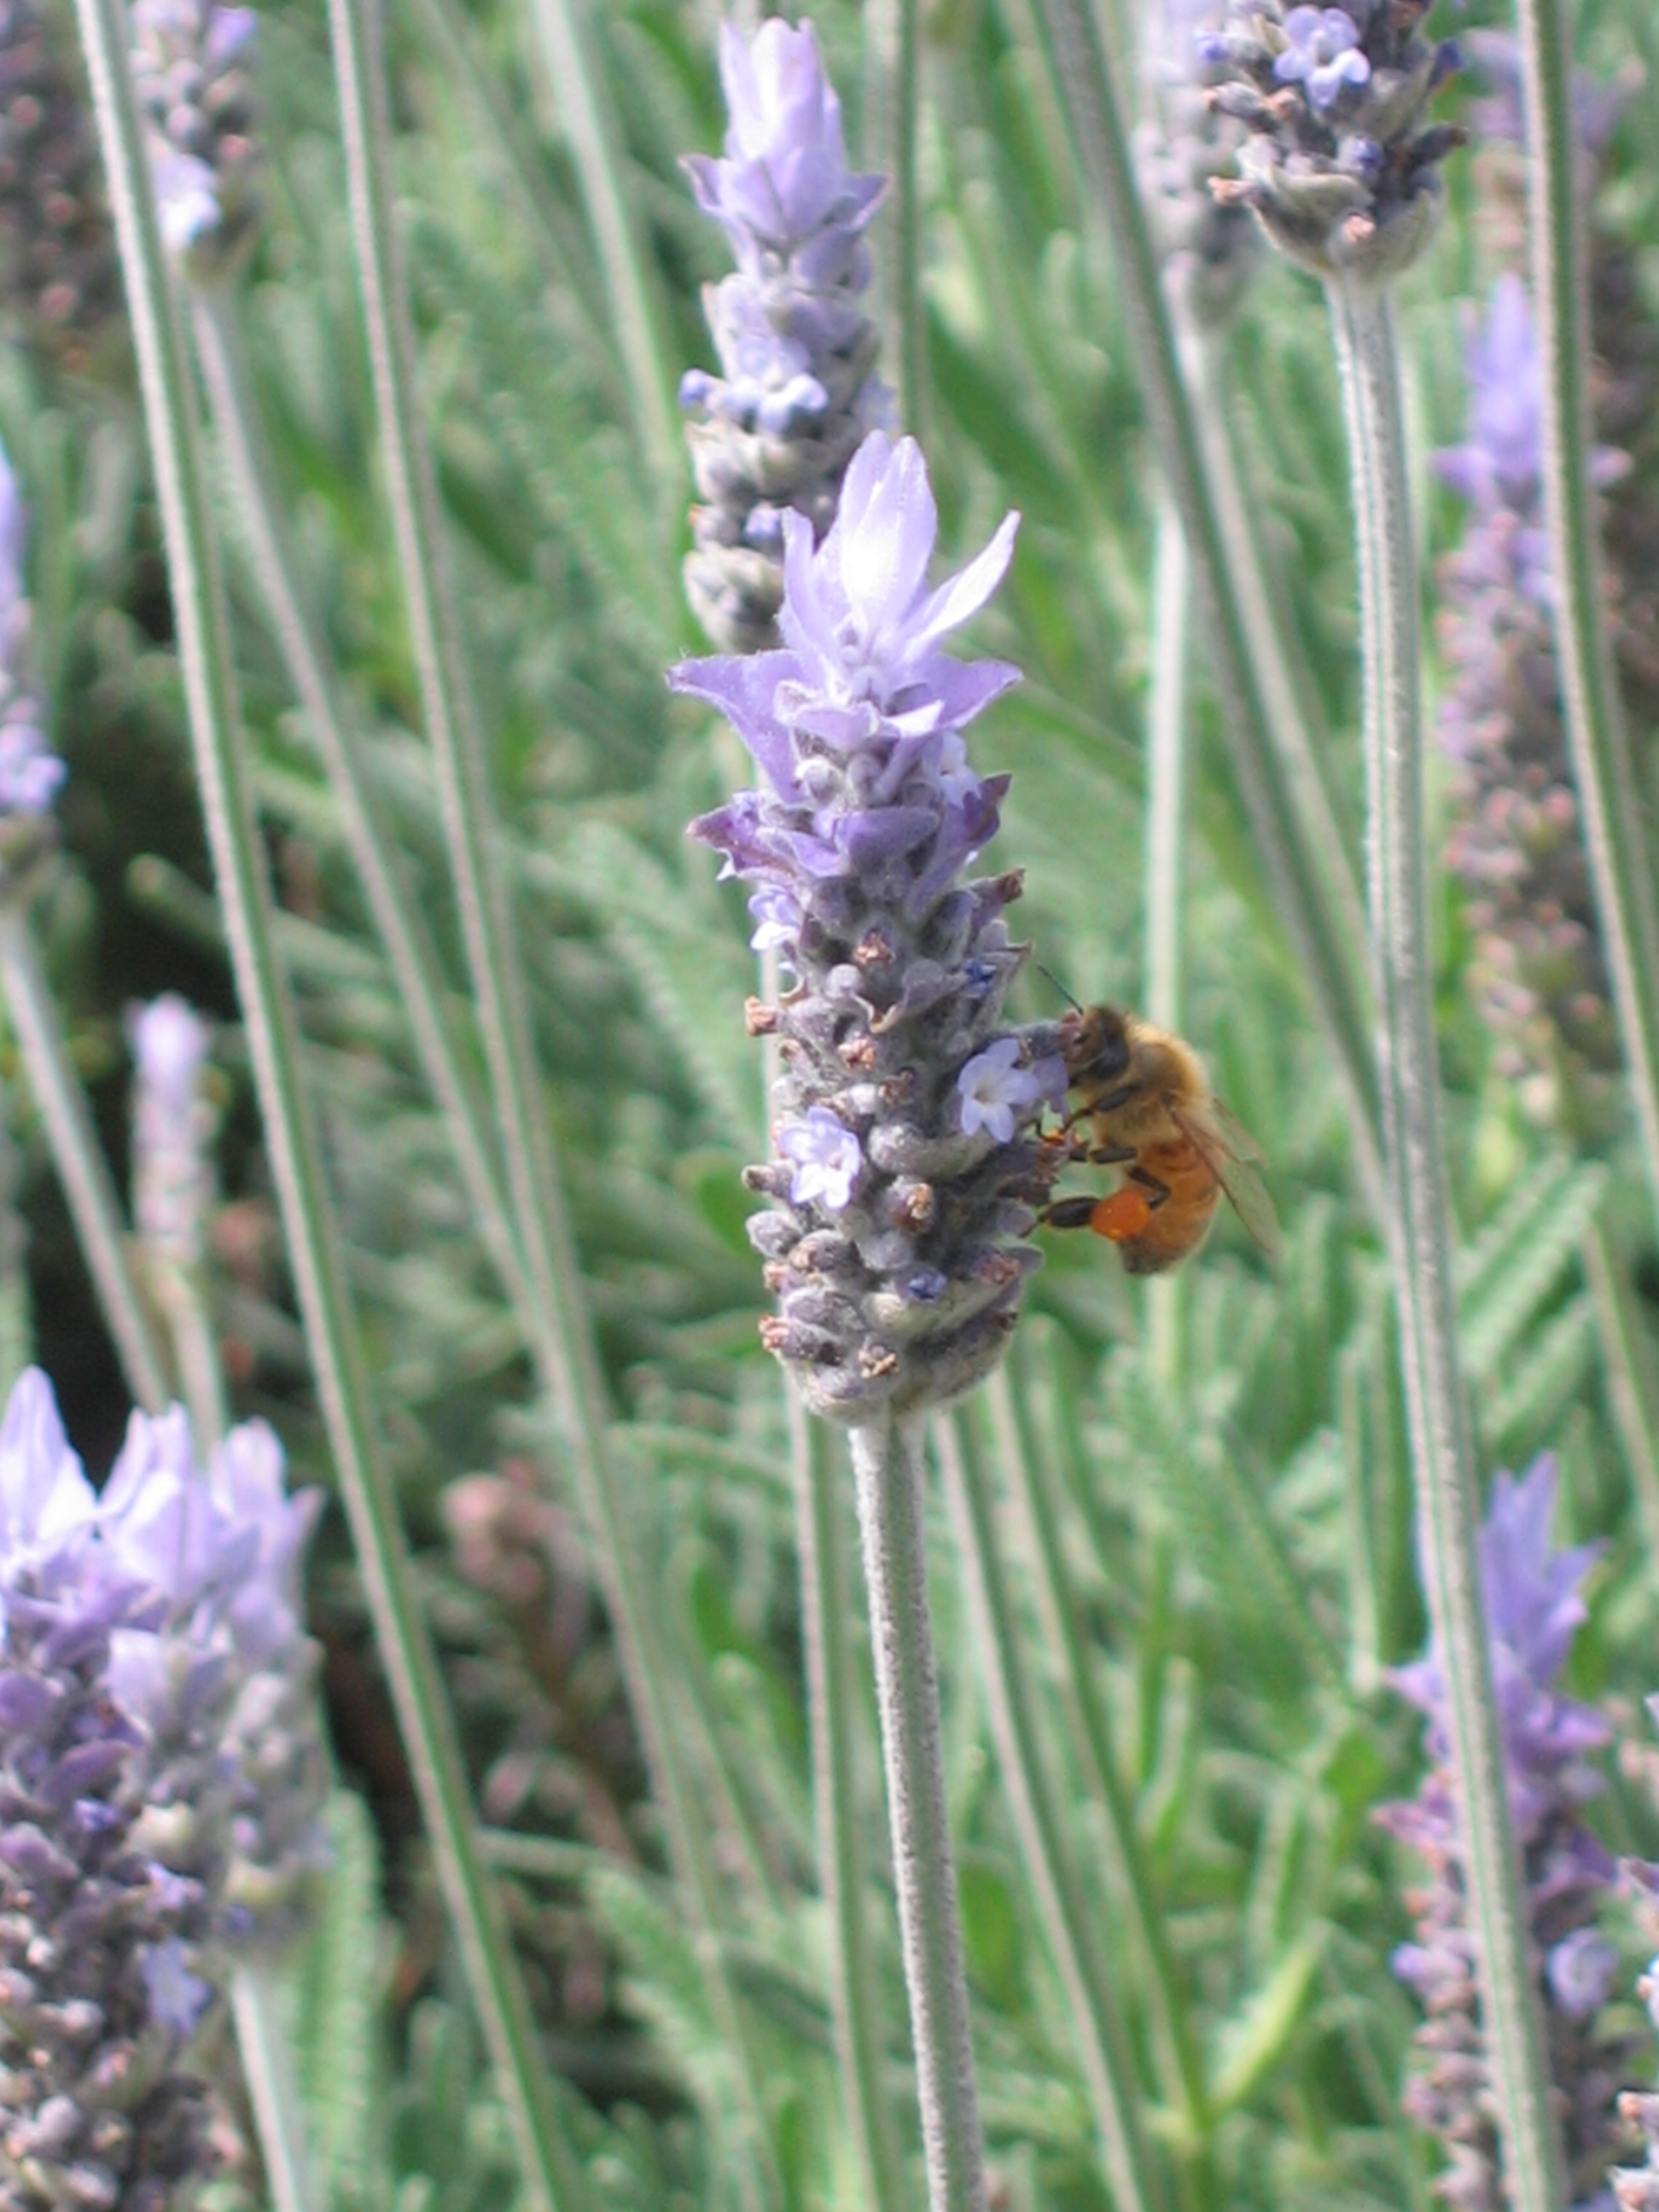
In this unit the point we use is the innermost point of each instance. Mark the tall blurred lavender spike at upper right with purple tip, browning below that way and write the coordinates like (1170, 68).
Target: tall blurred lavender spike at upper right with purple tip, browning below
(1516, 844)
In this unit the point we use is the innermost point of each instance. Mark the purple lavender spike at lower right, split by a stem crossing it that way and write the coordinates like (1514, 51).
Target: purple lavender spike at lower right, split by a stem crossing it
(1534, 1611)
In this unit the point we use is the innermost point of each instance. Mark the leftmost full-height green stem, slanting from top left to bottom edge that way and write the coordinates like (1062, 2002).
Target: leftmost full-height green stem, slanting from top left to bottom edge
(552, 2173)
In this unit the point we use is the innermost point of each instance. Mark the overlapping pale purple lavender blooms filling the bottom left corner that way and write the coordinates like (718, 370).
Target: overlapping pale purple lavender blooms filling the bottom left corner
(136, 1636)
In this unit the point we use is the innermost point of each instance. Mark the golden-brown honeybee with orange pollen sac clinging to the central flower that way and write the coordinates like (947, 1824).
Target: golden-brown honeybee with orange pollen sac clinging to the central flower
(1142, 1103)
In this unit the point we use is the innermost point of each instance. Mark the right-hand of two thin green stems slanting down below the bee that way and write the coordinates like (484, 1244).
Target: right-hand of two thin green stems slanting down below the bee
(1178, 2052)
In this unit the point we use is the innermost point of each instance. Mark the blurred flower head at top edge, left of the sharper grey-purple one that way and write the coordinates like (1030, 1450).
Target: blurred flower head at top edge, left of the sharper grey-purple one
(1207, 242)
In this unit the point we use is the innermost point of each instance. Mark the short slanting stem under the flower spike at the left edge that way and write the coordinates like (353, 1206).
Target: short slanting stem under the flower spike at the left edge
(81, 1162)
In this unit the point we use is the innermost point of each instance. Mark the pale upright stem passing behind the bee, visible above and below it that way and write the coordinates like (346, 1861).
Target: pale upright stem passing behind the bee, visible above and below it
(1165, 906)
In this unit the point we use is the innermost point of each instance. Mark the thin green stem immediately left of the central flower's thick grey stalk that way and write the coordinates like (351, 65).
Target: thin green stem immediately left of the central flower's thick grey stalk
(833, 1713)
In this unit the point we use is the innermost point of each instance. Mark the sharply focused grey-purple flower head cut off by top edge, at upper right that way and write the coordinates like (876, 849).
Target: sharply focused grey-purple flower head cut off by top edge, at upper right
(1339, 165)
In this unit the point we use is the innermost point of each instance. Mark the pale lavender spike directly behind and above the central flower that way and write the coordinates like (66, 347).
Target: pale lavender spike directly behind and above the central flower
(778, 428)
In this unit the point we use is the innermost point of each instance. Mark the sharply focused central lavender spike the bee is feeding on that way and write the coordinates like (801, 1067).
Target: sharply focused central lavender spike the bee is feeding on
(908, 1165)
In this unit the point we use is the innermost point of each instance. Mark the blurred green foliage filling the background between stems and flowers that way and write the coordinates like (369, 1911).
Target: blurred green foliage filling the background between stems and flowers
(1240, 1545)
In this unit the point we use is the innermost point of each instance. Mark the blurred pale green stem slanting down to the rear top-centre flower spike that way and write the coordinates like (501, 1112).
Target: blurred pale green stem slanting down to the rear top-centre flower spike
(596, 149)
